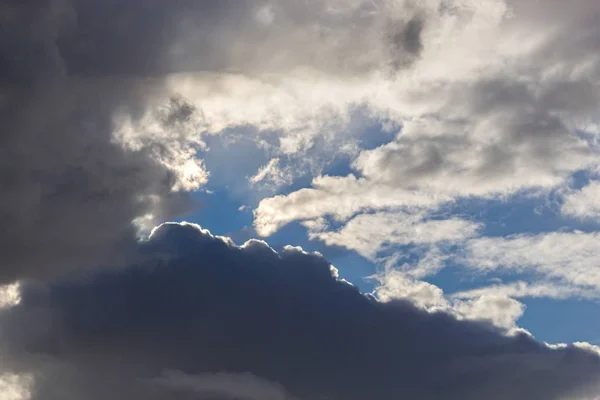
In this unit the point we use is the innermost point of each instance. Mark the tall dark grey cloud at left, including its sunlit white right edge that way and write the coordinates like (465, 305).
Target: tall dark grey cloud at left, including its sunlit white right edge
(72, 186)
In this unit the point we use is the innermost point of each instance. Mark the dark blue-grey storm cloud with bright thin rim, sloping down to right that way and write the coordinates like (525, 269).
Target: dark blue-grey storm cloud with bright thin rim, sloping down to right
(199, 304)
